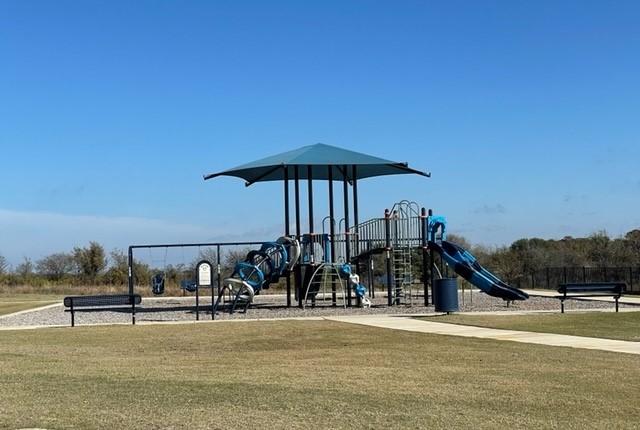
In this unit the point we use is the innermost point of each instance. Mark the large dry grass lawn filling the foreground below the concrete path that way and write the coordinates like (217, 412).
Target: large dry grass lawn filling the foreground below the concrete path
(302, 375)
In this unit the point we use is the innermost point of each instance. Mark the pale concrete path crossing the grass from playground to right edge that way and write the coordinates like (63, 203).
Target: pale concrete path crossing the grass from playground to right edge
(421, 326)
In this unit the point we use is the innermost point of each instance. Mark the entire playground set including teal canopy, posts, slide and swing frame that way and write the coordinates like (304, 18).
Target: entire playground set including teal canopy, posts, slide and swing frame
(325, 266)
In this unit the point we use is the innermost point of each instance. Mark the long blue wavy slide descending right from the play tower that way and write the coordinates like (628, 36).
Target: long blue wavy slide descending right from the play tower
(466, 265)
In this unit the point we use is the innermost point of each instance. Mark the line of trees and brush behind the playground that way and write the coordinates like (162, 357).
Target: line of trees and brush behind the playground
(92, 265)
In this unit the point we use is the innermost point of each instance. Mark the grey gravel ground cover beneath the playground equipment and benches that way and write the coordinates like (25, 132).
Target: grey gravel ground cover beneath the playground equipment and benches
(271, 306)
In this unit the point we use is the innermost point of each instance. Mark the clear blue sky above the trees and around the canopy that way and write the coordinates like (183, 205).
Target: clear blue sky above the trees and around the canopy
(526, 113)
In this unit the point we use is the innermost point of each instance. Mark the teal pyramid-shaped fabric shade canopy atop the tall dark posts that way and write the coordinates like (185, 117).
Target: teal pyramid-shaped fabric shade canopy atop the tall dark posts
(319, 158)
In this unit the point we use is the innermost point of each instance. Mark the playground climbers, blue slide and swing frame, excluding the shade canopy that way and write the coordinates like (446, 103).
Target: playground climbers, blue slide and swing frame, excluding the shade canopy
(327, 278)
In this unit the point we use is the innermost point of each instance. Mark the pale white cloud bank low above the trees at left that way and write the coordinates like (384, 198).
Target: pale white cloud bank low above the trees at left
(37, 234)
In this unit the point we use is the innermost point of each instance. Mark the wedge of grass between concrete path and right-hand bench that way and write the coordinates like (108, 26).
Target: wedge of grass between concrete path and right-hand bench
(609, 325)
